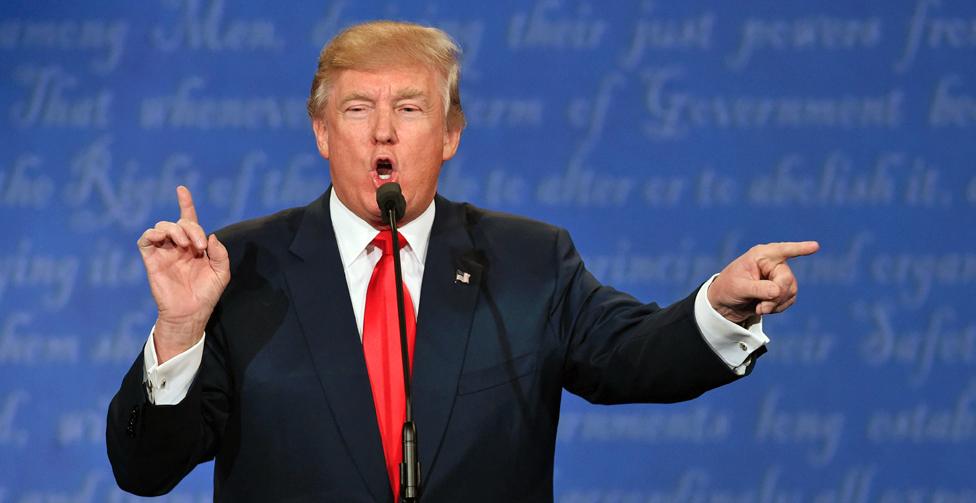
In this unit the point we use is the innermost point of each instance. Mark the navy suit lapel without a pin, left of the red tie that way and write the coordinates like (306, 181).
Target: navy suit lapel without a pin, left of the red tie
(321, 299)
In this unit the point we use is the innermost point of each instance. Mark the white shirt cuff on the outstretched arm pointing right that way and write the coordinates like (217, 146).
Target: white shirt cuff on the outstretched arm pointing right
(733, 343)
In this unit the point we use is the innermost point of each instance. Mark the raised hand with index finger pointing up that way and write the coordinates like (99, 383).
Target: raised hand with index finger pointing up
(187, 273)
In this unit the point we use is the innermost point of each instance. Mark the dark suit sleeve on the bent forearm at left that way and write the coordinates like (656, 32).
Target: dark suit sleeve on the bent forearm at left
(152, 447)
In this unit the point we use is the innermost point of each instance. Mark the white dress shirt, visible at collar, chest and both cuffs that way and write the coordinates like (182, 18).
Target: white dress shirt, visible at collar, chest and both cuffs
(168, 383)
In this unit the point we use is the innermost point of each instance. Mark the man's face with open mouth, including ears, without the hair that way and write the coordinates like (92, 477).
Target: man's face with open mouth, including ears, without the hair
(385, 126)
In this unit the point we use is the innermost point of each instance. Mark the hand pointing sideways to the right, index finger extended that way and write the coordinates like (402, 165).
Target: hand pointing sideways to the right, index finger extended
(759, 282)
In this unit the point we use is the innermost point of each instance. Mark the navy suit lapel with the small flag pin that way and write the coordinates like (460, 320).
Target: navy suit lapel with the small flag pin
(444, 322)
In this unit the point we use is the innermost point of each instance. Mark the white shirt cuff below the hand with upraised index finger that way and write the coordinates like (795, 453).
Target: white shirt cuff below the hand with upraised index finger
(167, 384)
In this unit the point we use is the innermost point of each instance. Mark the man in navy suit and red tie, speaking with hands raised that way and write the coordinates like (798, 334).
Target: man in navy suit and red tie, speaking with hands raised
(264, 352)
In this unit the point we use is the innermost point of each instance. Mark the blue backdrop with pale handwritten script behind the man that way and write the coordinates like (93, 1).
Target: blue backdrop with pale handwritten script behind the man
(668, 137)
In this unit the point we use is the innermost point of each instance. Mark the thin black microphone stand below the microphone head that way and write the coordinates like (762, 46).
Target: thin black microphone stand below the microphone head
(410, 465)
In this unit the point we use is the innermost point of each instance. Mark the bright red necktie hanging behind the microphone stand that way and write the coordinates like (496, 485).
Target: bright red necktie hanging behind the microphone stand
(381, 345)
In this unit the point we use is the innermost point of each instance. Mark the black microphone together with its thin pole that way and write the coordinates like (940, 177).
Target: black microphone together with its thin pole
(391, 202)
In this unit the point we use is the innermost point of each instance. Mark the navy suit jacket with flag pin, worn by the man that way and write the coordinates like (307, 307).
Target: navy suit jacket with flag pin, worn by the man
(282, 398)
